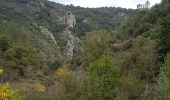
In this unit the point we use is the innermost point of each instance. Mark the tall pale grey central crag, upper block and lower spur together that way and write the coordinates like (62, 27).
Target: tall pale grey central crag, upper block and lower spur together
(72, 42)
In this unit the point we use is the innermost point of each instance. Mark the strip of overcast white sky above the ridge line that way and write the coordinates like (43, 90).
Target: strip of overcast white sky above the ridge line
(102, 3)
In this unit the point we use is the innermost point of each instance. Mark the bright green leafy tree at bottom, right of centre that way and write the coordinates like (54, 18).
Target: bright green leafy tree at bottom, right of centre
(102, 80)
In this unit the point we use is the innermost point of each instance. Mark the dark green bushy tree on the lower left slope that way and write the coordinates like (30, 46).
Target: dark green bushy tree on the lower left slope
(19, 57)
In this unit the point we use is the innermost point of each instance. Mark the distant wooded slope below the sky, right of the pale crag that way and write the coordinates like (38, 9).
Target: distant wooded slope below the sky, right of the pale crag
(98, 18)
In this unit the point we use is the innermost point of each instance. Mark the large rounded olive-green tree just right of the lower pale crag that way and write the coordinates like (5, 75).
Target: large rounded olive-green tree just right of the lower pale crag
(95, 44)
